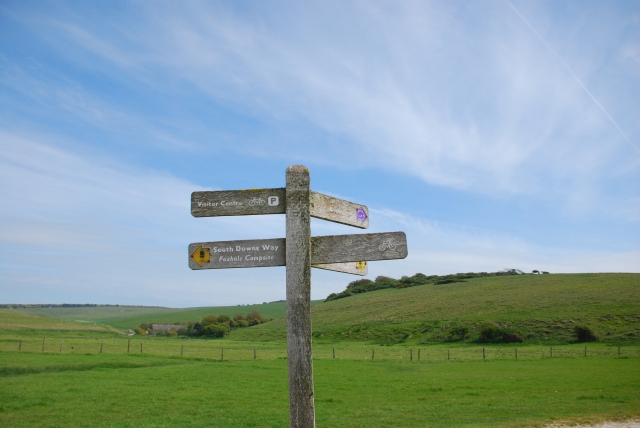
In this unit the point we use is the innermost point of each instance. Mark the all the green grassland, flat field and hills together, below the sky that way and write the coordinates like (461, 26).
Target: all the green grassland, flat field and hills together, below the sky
(380, 359)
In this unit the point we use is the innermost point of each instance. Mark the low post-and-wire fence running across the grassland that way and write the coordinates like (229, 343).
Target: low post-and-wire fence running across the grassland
(230, 351)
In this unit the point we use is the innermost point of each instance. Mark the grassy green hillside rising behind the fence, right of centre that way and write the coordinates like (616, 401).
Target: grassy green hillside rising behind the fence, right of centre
(543, 308)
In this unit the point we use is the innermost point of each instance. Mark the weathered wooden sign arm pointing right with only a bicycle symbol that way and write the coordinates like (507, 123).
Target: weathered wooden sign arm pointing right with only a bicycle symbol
(366, 246)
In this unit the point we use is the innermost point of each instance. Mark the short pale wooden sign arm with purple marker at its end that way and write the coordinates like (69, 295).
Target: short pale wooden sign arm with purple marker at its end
(339, 210)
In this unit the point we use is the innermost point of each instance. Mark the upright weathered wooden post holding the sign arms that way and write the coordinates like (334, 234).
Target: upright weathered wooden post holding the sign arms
(298, 256)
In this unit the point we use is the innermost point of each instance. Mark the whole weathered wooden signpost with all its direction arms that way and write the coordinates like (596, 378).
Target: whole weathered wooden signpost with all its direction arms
(298, 251)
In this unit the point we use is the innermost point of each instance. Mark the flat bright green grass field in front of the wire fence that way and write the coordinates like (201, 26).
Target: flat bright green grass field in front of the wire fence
(145, 390)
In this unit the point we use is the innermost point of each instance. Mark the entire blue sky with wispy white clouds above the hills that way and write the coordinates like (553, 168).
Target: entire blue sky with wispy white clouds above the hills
(496, 134)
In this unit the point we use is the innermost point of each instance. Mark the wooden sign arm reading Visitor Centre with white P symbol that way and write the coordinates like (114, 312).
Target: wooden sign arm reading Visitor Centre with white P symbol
(238, 202)
